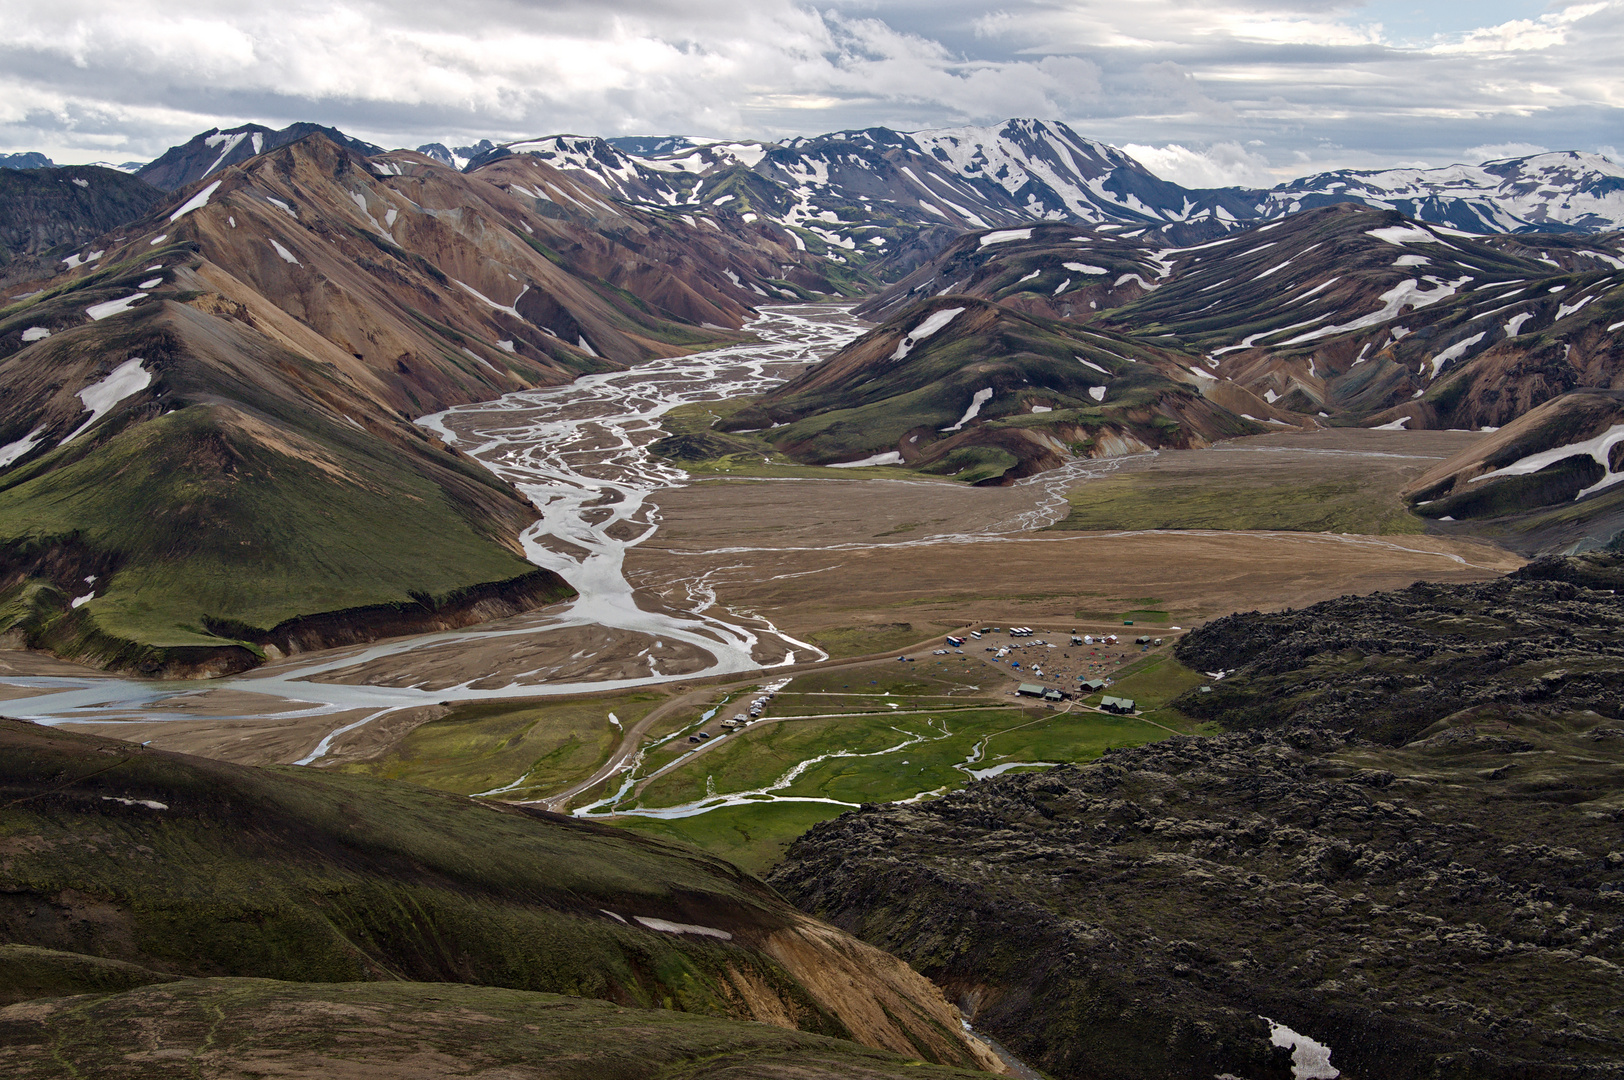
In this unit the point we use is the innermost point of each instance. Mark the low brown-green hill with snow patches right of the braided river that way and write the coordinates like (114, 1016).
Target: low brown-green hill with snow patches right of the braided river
(983, 394)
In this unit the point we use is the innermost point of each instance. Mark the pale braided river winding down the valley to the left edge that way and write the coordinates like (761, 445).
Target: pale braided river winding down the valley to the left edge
(579, 452)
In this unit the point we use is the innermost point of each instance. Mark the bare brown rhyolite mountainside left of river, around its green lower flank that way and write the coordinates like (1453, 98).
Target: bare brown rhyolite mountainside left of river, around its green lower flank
(313, 295)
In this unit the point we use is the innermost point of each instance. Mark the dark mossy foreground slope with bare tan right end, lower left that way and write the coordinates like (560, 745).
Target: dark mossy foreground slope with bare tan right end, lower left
(196, 868)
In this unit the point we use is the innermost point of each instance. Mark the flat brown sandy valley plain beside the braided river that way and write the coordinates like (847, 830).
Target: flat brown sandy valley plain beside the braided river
(850, 561)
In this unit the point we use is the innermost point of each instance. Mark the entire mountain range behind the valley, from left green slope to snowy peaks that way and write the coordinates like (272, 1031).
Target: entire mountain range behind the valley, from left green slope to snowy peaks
(282, 305)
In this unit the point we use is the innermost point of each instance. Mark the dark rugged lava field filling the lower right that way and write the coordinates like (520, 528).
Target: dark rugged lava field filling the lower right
(1412, 855)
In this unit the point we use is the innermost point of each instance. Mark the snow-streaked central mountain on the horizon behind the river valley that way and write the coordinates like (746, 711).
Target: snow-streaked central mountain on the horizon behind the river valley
(879, 194)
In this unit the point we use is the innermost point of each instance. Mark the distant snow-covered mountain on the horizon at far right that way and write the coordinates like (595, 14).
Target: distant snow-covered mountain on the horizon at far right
(1558, 192)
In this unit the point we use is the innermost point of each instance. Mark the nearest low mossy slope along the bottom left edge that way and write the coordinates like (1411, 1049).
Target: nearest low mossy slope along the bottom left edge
(412, 1032)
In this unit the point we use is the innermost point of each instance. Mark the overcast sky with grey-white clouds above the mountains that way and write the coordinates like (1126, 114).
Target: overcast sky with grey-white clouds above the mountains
(1233, 92)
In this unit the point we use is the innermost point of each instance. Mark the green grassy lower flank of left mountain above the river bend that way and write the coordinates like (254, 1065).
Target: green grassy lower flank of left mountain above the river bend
(246, 534)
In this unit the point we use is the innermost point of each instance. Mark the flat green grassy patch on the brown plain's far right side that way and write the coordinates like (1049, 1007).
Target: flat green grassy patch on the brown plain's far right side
(1152, 503)
